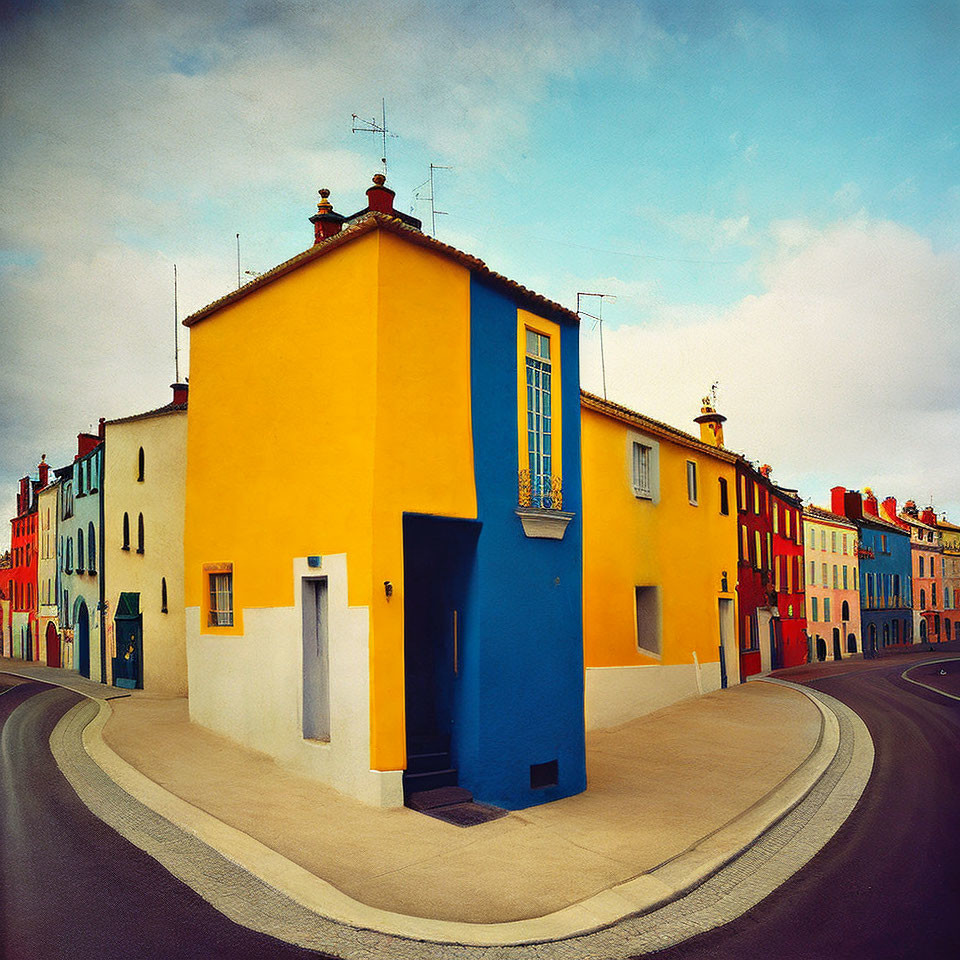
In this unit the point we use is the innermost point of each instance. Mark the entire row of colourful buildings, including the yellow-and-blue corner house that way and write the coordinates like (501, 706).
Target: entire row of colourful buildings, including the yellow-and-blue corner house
(392, 543)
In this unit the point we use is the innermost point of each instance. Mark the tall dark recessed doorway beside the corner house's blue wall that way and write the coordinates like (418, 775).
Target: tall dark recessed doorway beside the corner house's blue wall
(438, 558)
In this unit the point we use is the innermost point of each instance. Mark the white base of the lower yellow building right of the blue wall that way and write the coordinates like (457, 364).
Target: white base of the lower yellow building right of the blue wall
(614, 695)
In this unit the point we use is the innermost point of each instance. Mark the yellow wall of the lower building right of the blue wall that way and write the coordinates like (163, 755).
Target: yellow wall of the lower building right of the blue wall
(629, 542)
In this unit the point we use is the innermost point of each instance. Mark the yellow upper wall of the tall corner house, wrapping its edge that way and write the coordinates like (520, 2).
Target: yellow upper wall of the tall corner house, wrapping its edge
(322, 406)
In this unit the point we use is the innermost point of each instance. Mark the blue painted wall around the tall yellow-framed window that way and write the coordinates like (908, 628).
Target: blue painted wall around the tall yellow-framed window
(520, 696)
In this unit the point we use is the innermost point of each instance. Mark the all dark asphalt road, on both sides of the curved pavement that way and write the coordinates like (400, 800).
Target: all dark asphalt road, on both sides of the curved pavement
(886, 886)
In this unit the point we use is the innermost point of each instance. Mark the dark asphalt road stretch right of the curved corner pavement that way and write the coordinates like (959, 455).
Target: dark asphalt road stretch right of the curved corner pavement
(888, 884)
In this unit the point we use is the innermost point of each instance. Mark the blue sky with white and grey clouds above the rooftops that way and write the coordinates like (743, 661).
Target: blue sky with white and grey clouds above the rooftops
(768, 193)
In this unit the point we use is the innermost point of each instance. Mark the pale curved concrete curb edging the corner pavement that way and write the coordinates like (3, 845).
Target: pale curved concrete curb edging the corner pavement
(636, 897)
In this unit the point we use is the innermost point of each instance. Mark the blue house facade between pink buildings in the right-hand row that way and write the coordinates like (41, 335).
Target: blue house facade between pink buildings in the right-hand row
(884, 566)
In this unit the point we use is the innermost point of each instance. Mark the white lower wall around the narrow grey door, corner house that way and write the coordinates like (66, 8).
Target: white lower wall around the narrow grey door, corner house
(250, 688)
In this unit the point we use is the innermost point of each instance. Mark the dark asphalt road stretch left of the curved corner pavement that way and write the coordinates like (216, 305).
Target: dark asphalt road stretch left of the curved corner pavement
(70, 887)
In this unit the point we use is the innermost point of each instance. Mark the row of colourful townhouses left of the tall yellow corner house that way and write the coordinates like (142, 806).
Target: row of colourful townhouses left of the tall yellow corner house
(95, 582)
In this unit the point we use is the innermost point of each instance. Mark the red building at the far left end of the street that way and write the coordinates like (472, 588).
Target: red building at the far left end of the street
(22, 575)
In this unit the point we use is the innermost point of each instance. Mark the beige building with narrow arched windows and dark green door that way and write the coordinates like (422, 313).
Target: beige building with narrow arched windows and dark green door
(144, 476)
